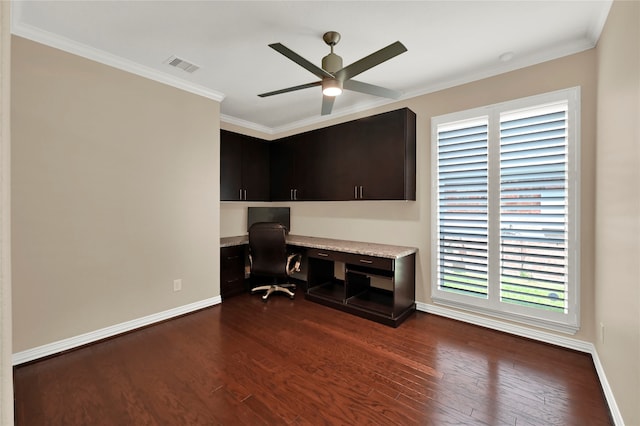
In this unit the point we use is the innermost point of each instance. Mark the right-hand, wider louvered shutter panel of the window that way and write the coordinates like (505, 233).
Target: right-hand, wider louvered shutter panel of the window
(534, 207)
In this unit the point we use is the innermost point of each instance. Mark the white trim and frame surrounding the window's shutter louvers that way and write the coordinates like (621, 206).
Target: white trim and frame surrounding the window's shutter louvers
(567, 323)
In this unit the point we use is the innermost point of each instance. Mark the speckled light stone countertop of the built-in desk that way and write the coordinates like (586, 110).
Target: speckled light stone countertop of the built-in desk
(356, 247)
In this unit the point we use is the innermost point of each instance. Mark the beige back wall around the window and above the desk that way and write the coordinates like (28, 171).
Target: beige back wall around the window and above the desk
(409, 223)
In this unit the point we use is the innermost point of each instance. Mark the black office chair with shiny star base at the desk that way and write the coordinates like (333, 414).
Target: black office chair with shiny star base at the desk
(268, 257)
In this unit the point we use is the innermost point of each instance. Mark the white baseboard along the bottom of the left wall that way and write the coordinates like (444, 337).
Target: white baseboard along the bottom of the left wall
(94, 336)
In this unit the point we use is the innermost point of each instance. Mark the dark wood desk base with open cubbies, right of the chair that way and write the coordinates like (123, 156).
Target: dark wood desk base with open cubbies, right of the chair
(379, 289)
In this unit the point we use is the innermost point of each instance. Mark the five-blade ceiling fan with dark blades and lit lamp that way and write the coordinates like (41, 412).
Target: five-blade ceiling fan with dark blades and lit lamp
(334, 77)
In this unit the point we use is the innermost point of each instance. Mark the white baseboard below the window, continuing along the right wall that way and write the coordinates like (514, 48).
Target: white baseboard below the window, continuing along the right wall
(541, 336)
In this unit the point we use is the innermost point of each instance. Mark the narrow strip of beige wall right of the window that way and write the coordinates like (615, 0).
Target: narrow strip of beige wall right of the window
(617, 272)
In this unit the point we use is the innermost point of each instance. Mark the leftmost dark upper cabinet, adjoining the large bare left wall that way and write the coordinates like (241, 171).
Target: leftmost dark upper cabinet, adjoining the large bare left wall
(244, 168)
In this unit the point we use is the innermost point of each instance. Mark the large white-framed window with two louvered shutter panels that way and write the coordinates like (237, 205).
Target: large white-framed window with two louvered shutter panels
(505, 201)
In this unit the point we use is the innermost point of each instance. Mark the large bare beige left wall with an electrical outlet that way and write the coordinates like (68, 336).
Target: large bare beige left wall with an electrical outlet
(115, 185)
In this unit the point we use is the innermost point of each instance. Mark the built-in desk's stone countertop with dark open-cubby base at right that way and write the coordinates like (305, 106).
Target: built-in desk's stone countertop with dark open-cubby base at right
(374, 281)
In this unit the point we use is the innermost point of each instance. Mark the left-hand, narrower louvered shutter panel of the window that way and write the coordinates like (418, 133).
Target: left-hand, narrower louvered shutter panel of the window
(463, 207)
